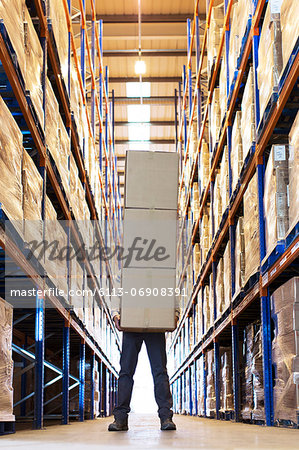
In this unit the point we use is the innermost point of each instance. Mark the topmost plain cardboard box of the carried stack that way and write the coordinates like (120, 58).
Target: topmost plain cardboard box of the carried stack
(151, 180)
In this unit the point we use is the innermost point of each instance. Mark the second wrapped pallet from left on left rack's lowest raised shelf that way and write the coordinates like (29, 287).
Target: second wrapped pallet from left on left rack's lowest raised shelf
(32, 200)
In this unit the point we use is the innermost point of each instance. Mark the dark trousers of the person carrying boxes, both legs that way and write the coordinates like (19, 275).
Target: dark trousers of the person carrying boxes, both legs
(156, 350)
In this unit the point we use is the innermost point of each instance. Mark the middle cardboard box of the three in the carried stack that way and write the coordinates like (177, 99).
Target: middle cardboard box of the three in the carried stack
(150, 237)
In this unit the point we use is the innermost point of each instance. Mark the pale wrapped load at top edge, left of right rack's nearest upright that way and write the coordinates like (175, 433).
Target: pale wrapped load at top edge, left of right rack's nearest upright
(240, 13)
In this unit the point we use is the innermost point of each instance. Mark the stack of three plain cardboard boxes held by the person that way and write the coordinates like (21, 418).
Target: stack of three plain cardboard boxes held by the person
(150, 234)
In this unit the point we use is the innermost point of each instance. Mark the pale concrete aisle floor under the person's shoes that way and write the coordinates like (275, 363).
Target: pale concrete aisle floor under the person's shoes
(144, 433)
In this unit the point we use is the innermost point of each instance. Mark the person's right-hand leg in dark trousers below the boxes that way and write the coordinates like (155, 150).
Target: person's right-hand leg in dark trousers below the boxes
(156, 350)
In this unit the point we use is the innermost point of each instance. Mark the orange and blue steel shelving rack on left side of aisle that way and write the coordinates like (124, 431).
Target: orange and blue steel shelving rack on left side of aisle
(59, 321)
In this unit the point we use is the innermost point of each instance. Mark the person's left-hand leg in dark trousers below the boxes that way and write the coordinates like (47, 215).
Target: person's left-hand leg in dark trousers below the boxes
(129, 356)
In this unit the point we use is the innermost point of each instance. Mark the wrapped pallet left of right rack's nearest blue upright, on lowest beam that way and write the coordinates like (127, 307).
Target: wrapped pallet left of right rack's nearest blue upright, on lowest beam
(251, 228)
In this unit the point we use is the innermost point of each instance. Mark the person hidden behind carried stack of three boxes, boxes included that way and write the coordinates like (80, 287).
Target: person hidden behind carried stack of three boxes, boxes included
(149, 298)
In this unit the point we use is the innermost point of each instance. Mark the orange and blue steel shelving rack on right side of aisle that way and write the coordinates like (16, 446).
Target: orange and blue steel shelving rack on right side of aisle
(274, 268)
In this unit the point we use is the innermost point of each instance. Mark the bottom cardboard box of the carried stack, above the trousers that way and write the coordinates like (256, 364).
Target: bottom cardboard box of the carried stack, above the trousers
(148, 312)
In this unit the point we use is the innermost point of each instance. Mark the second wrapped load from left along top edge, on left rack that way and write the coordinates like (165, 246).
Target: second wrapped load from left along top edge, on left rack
(60, 31)
